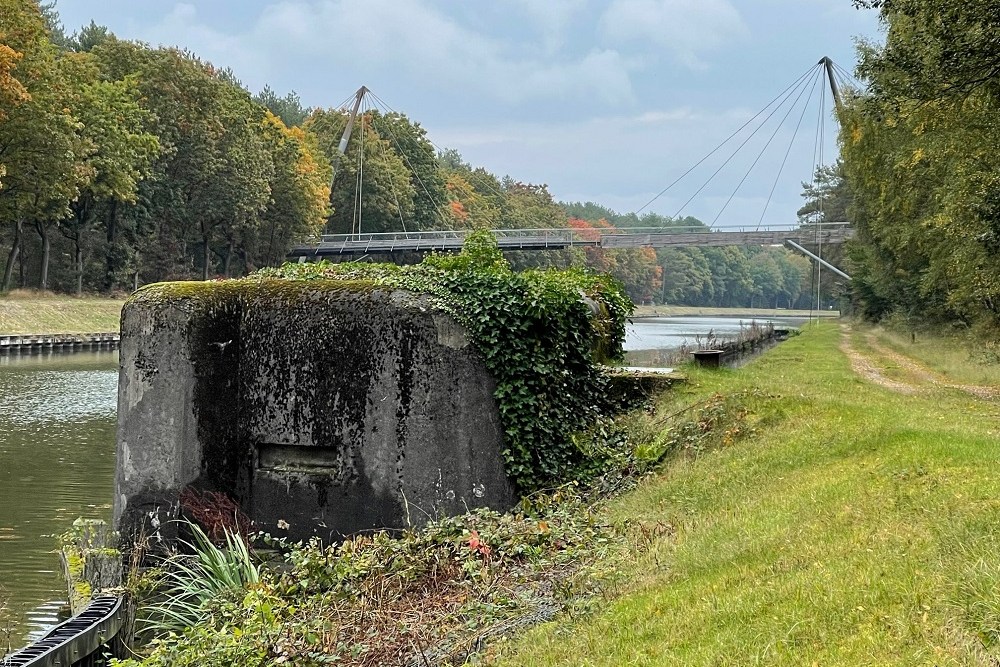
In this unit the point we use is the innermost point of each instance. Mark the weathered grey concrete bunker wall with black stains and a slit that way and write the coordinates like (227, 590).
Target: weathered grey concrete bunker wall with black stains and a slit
(333, 407)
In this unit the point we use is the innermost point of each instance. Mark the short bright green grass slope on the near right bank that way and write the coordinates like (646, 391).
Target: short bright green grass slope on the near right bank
(857, 526)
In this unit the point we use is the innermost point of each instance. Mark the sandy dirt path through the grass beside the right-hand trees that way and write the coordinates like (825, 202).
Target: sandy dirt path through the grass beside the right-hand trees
(920, 377)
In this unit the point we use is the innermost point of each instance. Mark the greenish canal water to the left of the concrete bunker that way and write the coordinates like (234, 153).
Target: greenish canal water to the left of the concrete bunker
(57, 463)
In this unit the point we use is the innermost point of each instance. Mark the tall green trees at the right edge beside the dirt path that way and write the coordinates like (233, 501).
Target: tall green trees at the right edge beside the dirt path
(919, 149)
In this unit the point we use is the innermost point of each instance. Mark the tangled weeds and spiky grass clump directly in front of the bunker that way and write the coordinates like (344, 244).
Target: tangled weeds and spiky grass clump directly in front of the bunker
(378, 599)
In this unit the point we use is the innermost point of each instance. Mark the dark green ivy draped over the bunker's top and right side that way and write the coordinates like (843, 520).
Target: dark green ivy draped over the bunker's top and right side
(542, 335)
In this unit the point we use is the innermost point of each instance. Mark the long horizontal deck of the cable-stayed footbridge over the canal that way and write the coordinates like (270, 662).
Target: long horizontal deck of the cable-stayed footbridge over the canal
(557, 239)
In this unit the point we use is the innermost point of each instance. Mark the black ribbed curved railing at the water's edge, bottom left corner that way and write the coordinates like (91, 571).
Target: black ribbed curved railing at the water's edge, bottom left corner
(77, 642)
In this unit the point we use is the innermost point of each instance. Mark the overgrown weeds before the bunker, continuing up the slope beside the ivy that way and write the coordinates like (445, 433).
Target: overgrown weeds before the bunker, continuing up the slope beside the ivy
(438, 595)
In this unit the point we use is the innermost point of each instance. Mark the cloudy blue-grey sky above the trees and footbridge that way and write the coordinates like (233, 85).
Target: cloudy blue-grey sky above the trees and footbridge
(603, 100)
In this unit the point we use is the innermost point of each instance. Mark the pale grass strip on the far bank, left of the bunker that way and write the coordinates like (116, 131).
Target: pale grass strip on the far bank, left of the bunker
(40, 313)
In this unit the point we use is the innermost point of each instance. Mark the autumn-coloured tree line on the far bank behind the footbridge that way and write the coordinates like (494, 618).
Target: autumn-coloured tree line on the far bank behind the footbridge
(123, 164)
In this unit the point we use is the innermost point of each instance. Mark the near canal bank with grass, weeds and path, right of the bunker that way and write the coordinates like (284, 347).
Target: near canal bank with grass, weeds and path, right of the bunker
(829, 519)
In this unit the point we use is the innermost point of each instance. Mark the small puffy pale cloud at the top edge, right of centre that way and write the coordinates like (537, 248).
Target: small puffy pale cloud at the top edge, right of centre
(685, 28)
